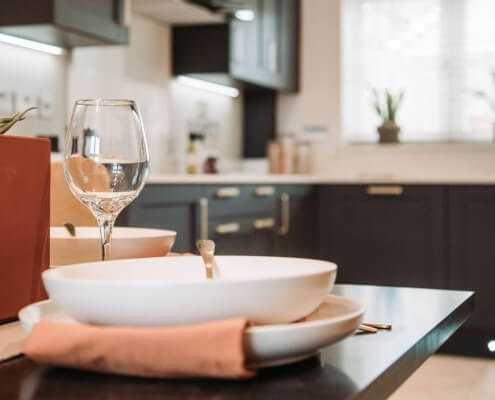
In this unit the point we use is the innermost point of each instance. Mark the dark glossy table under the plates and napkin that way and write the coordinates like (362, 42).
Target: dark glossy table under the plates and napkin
(369, 366)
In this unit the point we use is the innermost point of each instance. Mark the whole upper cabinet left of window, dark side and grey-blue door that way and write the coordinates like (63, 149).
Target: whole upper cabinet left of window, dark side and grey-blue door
(261, 52)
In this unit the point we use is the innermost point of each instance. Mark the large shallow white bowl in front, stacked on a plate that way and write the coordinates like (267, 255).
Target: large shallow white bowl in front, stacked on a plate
(174, 291)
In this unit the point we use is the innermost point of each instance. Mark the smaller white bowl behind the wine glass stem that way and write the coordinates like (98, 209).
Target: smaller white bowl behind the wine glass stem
(126, 243)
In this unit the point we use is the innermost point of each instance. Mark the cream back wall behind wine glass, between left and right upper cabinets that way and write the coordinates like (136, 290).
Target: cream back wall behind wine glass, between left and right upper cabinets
(142, 71)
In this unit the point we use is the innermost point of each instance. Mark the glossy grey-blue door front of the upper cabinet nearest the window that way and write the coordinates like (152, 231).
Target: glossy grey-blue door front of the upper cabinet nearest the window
(265, 50)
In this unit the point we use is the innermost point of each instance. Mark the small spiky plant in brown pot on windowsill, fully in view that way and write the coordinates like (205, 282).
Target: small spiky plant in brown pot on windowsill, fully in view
(388, 131)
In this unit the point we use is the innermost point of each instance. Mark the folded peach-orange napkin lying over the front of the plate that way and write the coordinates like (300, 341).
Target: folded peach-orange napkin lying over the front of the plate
(212, 349)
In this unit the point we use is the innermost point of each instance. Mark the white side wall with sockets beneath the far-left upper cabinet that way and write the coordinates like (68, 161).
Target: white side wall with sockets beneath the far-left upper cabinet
(25, 71)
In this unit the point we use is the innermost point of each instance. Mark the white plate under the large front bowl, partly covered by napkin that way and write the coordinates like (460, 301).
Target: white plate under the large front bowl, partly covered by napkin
(268, 345)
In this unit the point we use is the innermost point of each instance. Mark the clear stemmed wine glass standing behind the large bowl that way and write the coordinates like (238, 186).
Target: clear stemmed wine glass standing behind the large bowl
(106, 159)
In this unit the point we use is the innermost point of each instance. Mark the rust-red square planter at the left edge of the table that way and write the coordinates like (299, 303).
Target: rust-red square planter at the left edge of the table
(24, 221)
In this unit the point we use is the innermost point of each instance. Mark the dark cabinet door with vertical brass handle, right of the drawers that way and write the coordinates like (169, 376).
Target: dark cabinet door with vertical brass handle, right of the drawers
(297, 236)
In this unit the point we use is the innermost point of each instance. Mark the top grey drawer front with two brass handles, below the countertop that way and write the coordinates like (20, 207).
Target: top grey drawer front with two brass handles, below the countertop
(241, 199)
